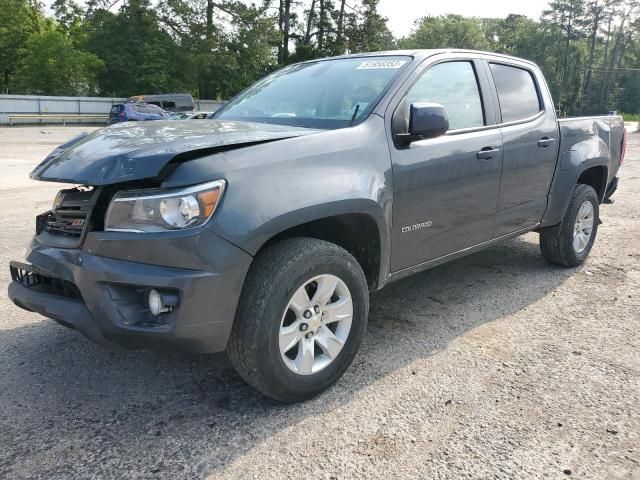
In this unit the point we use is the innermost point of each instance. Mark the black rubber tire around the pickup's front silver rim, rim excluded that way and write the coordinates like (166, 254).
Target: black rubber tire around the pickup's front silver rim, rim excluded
(273, 278)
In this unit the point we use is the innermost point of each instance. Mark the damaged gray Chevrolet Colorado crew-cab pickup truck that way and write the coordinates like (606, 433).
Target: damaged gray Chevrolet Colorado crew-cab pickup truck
(262, 232)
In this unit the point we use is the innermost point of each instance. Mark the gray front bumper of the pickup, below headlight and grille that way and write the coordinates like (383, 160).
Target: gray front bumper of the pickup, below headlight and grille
(112, 274)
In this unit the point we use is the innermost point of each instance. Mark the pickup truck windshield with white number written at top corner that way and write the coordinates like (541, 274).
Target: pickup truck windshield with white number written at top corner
(326, 94)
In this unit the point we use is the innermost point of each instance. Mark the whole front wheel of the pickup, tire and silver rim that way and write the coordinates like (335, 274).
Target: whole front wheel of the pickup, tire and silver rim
(301, 319)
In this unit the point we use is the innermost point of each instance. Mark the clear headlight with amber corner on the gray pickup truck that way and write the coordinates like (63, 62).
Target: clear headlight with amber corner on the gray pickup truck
(157, 210)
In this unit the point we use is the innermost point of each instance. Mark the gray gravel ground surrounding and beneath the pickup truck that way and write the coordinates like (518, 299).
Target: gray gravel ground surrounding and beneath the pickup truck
(494, 366)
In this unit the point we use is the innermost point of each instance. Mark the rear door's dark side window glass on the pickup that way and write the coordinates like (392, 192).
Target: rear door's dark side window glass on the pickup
(517, 92)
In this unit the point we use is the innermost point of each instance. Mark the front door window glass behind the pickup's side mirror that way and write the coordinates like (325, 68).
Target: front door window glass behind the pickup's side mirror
(454, 86)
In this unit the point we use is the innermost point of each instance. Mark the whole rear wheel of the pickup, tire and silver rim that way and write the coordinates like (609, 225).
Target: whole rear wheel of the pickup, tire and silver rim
(569, 243)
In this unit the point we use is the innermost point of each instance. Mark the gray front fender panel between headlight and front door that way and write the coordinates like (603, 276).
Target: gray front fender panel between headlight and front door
(276, 186)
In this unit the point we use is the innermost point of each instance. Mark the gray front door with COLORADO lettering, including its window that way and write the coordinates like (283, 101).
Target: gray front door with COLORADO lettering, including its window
(446, 188)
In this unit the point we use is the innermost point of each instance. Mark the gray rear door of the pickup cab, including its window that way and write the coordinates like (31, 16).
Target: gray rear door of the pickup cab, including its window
(530, 144)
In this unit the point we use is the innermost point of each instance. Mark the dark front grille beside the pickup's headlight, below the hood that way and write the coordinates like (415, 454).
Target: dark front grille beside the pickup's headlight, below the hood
(68, 222)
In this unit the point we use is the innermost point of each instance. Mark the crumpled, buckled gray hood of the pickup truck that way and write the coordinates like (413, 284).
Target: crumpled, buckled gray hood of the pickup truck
(135, 151)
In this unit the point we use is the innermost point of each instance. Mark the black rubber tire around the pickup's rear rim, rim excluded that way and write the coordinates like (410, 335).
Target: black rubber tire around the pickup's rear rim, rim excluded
(556, 243)
